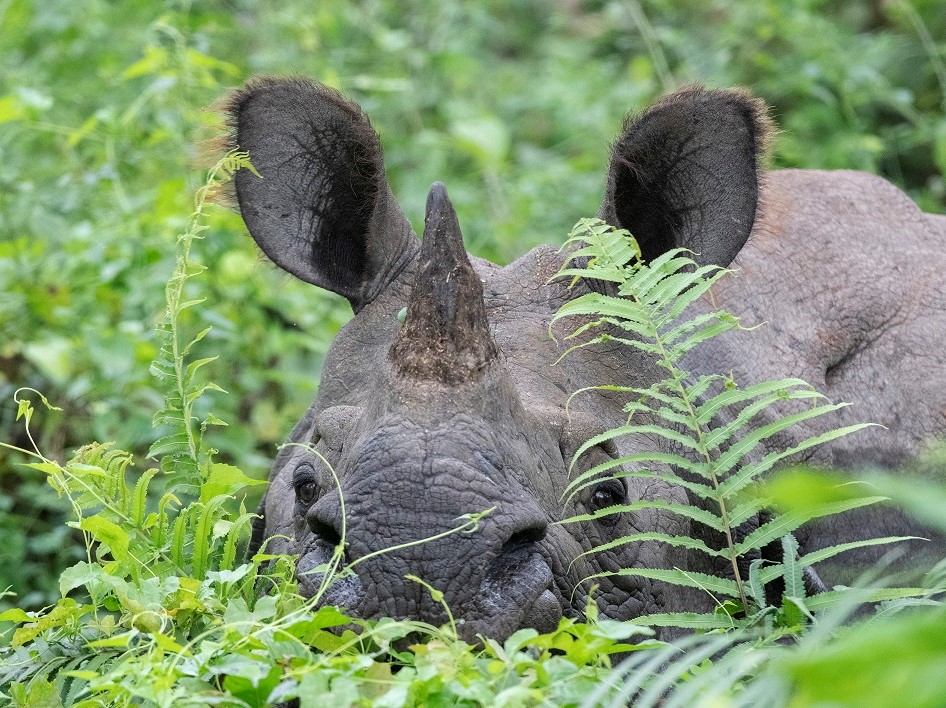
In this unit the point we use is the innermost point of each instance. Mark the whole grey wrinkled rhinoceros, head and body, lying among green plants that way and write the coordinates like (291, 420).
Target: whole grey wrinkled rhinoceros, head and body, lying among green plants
(461, 409)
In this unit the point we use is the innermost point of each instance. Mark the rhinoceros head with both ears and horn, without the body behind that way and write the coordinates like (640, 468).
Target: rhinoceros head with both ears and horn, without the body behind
(460, 408)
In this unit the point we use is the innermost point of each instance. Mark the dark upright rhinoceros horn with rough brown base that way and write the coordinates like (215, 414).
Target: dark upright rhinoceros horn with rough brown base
(446, 335)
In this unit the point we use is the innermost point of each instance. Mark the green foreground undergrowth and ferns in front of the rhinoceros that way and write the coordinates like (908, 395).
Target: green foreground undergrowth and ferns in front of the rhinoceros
(166, 609)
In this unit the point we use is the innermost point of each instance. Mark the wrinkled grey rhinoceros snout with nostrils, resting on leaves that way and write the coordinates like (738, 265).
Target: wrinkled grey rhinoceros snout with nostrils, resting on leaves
(495, 579)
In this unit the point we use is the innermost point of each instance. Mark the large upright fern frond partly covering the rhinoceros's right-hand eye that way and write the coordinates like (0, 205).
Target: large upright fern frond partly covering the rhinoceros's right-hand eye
(714, 431)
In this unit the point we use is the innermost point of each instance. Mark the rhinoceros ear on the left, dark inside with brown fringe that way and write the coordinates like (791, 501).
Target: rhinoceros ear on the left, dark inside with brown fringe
(322, 208)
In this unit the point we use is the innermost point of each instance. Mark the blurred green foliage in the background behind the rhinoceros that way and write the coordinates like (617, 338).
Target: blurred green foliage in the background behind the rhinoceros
(512, 103)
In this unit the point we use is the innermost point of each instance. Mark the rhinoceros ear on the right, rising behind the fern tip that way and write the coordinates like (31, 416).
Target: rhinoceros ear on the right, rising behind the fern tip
(686, 173)
